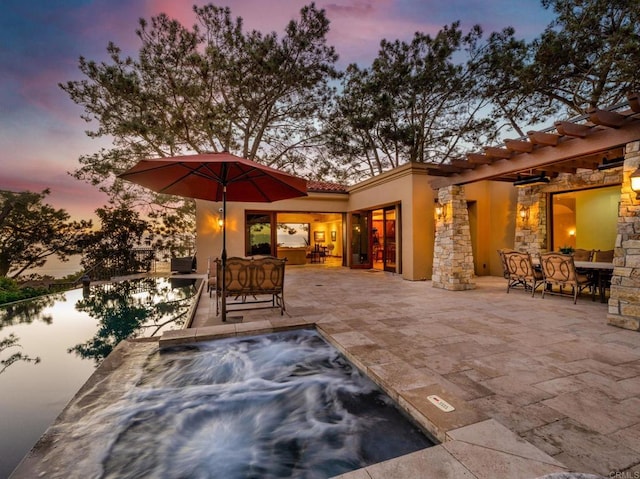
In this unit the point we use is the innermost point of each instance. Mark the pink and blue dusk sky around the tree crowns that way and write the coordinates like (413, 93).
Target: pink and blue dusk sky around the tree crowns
(41, 132)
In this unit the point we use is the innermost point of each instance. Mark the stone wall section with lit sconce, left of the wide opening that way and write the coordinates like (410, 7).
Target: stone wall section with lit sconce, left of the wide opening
(531, 233)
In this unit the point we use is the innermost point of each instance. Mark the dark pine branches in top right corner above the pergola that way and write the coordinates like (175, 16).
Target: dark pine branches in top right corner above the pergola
(587, 57)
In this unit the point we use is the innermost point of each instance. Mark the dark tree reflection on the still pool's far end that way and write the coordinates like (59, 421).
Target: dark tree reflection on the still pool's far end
(134, 308)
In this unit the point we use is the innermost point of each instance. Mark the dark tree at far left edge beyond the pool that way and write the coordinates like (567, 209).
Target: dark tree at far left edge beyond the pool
(31, 231)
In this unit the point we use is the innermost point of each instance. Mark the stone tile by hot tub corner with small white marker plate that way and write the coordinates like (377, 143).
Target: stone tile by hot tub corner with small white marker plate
(433, 419)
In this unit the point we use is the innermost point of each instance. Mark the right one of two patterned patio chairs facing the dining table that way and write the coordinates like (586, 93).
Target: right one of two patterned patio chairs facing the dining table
(559, 269)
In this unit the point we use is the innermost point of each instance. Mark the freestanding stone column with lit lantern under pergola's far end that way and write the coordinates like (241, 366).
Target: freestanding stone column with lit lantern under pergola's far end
(452, 255)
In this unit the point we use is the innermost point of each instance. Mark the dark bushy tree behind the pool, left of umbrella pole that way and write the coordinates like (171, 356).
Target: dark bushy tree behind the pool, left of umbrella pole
(111, 247)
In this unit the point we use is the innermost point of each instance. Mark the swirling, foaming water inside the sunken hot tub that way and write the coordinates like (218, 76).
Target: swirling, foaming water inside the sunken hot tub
(274, 406)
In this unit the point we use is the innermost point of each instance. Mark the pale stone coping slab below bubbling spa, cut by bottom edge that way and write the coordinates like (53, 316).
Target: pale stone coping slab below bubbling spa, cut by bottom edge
(434, 462)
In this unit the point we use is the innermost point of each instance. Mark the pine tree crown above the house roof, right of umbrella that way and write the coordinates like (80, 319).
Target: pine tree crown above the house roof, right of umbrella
(418, 102)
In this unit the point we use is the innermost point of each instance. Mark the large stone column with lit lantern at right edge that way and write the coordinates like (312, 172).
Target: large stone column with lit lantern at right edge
(624, 302)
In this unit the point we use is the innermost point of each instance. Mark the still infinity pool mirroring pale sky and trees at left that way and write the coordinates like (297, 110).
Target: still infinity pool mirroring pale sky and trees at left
(71, 333)
